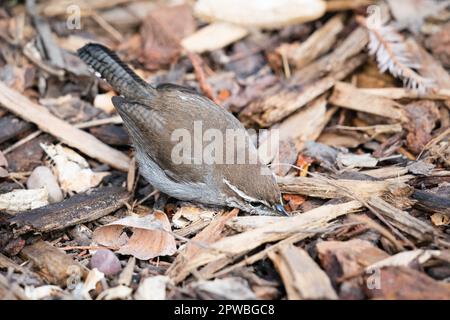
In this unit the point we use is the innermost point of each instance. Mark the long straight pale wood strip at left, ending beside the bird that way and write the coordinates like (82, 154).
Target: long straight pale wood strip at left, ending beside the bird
(76, 138)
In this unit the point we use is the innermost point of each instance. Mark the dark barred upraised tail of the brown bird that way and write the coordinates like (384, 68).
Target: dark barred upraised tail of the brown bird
(107, 65)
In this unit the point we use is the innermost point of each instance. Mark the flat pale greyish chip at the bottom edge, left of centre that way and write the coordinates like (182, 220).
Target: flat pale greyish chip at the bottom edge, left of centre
(230, 288)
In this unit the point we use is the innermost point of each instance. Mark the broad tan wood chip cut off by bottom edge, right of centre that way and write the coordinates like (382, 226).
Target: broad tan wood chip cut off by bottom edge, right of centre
(302, 277)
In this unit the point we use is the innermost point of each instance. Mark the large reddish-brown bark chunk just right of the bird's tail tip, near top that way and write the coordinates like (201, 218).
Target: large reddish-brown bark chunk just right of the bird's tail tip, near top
(162, 32)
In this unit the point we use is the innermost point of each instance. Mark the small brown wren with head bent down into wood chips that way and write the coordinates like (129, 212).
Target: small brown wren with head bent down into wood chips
(156, 119)
